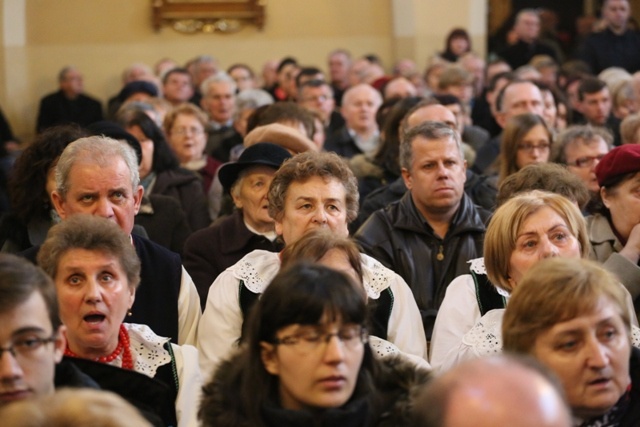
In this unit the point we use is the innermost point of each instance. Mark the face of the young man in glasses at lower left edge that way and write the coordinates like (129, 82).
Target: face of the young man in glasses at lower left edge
(28, 370)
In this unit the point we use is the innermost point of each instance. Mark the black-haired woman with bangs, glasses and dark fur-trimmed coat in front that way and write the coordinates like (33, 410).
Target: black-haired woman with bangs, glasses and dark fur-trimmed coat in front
(305, 360)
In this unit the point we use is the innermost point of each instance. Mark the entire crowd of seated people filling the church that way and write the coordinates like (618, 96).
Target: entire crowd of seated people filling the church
(356, 248)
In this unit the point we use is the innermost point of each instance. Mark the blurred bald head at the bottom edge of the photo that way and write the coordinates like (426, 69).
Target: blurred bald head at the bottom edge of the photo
(494, 391)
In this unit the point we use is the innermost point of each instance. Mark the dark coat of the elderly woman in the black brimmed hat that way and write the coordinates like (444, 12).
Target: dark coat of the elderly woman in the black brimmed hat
(208, 252)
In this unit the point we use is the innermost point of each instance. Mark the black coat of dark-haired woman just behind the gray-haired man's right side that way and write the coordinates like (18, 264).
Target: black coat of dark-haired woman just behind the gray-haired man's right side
(185, 187)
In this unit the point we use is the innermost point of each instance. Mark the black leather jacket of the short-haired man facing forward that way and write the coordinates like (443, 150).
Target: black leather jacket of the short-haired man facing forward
(400, 238)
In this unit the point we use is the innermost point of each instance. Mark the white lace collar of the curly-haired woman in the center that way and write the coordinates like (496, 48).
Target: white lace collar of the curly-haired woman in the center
(259, 267)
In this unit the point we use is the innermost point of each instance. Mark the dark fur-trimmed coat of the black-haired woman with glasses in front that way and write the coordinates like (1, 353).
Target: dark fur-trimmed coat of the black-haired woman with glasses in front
(388, 404)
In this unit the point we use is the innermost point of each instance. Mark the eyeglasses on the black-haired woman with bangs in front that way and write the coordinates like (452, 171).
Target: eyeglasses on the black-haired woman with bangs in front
(311, 340)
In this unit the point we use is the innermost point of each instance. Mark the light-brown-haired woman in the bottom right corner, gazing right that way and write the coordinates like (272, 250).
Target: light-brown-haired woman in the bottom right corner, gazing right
(572, 316)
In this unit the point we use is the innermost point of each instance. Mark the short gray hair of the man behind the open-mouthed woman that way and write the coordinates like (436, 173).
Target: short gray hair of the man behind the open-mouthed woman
(100, 150)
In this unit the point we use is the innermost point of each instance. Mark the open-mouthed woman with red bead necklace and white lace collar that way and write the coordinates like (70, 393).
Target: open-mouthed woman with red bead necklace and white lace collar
(96, 272)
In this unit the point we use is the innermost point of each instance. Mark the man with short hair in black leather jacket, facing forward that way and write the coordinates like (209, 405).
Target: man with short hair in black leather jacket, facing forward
(428, 236)
